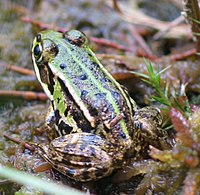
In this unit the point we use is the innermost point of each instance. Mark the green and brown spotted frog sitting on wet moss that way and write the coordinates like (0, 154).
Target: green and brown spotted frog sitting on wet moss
(93, 122)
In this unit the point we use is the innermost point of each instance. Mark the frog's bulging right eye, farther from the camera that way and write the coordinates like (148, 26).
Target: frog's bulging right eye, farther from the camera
(76, 37)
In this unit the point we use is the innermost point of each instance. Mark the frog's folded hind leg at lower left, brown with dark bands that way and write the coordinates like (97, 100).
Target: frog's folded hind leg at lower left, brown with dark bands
(80, 156)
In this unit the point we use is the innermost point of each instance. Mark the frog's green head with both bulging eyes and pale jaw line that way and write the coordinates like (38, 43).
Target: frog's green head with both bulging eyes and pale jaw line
(50, 51)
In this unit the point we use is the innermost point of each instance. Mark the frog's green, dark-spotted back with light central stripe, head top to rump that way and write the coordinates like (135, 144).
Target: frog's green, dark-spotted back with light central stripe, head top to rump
(98, 97)
